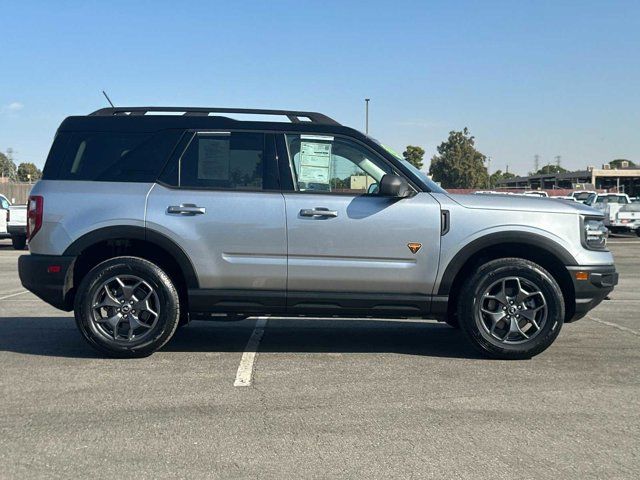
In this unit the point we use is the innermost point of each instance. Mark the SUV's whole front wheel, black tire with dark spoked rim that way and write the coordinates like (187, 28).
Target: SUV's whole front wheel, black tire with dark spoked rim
(511, 308)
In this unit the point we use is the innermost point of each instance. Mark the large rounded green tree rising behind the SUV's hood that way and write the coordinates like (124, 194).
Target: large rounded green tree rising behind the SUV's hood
(458, 163)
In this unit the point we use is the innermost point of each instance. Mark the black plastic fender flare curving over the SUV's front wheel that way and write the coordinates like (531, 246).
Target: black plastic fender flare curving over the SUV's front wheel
(498, 238)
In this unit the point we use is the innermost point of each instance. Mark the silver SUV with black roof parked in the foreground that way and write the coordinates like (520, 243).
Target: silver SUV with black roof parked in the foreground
(148, 217)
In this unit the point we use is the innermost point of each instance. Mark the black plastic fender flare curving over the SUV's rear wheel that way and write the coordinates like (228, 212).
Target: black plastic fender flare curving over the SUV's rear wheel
(131, 232)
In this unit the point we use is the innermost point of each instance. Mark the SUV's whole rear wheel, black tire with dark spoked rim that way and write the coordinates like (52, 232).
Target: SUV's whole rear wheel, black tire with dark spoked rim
(107, 300)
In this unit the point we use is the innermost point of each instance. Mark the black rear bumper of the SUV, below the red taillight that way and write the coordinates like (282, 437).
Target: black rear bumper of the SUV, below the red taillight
(50, 277)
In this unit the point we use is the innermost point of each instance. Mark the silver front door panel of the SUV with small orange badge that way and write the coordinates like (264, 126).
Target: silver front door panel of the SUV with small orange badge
(363, 247)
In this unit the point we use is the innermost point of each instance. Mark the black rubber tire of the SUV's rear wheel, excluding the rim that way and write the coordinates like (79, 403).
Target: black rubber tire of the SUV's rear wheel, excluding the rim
(157, 279)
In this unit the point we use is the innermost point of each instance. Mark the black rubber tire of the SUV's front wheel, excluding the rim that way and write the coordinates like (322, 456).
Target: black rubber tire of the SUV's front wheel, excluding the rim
(493, 272)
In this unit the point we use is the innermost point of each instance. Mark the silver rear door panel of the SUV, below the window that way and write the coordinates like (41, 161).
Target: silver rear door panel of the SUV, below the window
(237, 242)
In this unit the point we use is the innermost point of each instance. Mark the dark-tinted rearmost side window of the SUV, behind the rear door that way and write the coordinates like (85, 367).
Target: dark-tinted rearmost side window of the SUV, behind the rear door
(112, 156)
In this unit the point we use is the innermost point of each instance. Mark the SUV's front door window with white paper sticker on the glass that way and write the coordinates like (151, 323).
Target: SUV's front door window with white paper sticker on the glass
(327, 164)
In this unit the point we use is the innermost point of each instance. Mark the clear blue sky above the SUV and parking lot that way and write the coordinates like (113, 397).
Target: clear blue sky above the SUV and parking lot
(548, 78)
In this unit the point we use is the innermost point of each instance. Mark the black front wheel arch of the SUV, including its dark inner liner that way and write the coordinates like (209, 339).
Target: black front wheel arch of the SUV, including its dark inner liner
(545, 252)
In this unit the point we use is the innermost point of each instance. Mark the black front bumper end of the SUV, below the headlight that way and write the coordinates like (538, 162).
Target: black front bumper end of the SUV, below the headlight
(594, 289)
